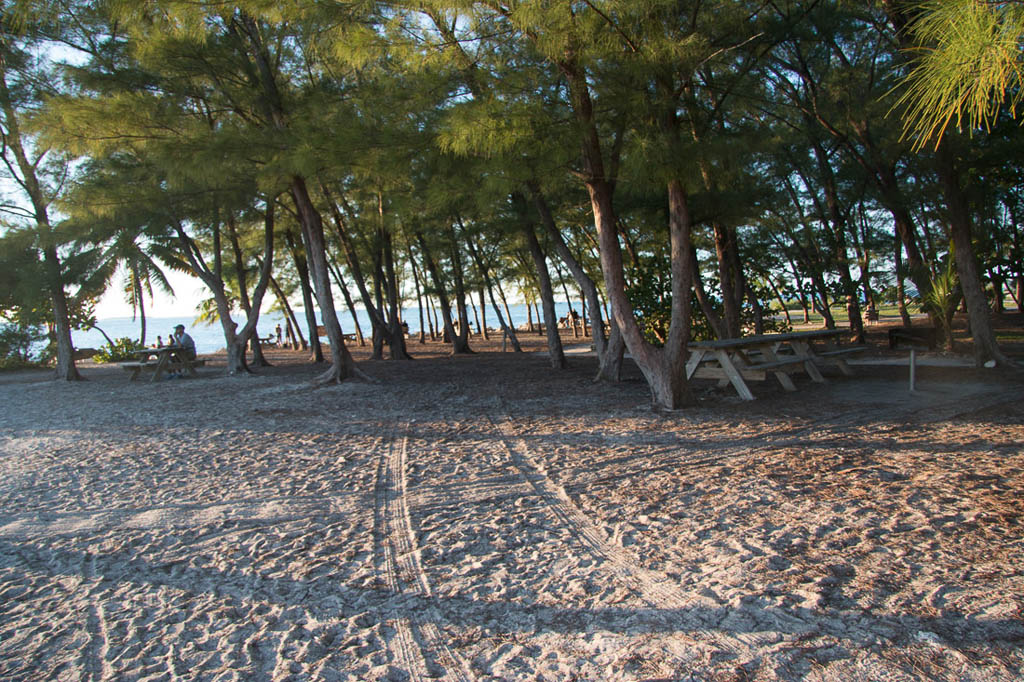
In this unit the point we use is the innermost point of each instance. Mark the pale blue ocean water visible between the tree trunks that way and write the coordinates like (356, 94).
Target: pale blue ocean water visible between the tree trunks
(210, 338)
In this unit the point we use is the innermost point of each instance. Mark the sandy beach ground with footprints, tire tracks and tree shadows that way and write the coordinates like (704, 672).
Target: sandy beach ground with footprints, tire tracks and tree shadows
(488, 519)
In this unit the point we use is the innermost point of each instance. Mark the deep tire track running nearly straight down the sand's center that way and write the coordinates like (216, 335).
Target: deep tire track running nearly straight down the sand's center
(418, 646)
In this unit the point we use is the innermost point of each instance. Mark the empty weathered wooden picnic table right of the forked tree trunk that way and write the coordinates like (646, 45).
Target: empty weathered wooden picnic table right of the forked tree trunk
(754, 358)
